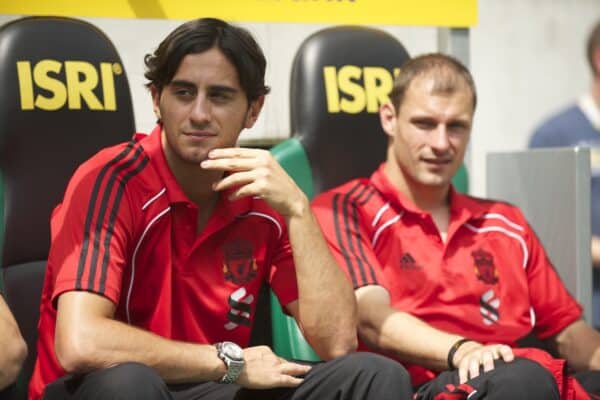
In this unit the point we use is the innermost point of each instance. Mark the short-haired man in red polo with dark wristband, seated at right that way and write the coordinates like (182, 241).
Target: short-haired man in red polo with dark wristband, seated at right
(445, 281)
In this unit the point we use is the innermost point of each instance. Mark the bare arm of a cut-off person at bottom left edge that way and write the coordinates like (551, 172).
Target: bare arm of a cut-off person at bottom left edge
(13, 349)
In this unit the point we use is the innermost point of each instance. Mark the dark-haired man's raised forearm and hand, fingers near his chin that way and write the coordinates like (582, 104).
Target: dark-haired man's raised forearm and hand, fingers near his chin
(322, 286)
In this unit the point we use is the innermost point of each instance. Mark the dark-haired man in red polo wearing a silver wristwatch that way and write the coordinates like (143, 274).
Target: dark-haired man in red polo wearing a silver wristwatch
(160, 246)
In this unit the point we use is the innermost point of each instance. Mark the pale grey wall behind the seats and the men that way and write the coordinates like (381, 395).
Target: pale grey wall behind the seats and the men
(527, 57)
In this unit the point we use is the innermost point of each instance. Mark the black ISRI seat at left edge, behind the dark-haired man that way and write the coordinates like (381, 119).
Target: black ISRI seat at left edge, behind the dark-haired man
(64, 96)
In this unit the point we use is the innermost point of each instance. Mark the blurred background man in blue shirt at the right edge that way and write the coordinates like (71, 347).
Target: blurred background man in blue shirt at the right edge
(579, 125)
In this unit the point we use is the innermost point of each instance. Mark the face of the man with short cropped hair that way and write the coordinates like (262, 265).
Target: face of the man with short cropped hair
(429, 133)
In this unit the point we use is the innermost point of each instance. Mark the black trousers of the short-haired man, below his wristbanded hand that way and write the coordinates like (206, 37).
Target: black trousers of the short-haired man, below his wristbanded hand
(521, 379)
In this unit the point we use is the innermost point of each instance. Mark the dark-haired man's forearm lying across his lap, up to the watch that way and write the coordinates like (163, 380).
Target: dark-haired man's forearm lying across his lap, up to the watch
(103, 342)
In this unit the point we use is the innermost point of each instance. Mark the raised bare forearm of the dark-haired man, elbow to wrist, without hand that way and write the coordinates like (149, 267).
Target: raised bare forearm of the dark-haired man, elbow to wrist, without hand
(326, 305)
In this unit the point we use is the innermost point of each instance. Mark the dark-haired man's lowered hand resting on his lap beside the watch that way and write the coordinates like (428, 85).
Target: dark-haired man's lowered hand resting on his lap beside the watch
(265, 370)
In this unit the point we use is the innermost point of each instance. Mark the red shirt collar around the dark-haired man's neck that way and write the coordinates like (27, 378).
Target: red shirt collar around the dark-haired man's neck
(152, 144)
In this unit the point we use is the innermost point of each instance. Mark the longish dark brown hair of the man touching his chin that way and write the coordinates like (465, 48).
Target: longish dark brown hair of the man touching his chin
(197, 36)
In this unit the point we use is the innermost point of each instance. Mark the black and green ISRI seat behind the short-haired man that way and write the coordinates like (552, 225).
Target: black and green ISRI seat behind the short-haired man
(340, 76)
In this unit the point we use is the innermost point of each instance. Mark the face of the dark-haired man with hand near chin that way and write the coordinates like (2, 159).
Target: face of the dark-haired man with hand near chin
(202, 108)
